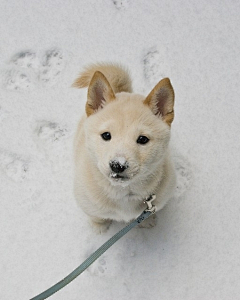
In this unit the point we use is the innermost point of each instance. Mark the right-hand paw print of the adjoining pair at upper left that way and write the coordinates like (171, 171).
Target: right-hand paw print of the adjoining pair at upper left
(52, 66)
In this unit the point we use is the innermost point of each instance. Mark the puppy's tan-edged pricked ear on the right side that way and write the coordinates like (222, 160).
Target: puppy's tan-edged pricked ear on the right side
(161, 100)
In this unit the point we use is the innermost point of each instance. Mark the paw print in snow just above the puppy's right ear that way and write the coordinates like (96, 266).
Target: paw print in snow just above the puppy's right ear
(154, 66)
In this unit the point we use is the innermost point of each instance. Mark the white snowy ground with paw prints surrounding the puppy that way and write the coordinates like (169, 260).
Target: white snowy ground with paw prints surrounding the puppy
(194, 251)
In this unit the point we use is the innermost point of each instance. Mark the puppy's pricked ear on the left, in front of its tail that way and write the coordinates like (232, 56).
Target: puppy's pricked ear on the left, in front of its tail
(99, 93)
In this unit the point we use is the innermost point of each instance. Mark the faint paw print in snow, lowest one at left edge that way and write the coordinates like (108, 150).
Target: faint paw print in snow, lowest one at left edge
(14, 166)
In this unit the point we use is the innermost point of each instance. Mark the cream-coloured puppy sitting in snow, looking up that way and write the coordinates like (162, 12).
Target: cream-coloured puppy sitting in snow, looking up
(121, 147)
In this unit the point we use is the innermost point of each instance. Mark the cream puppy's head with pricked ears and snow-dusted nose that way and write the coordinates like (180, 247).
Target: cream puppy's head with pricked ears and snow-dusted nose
(127, 134)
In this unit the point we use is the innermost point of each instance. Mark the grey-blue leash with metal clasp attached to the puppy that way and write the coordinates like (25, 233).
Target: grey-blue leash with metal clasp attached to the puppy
(144, 215)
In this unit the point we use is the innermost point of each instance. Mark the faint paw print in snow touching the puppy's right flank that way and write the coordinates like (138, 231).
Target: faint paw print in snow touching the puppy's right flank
(184, 175)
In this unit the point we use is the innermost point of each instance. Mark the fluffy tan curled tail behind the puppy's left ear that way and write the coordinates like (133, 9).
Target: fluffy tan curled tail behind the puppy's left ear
(117, 76)
